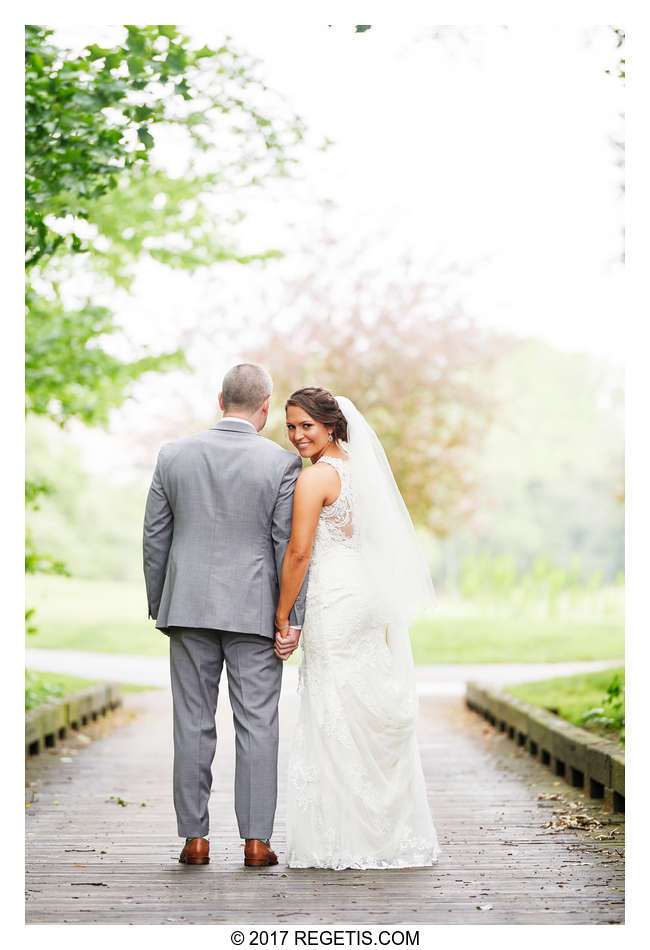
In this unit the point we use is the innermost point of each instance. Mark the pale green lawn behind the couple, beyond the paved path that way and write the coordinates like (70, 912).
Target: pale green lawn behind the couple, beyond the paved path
(111, 617)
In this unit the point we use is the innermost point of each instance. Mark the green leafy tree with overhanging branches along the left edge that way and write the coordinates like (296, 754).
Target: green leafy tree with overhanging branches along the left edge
(97, 203)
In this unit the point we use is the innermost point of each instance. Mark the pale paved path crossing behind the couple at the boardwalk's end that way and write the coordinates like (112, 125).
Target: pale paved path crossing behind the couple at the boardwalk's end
(443, 679)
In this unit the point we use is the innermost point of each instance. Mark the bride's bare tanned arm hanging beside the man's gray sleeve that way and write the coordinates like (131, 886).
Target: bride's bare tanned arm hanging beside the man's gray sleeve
(313, 487)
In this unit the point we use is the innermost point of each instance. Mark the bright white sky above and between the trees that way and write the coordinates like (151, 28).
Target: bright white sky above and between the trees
(493, 153)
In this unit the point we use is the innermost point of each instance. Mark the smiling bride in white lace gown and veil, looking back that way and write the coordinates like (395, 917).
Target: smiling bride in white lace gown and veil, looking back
(356, 793)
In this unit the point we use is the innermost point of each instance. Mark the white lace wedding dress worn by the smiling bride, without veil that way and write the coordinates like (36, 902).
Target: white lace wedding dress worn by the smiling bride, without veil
(356, 793)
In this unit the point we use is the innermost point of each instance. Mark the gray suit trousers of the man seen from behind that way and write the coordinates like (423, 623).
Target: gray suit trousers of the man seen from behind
(254, 680)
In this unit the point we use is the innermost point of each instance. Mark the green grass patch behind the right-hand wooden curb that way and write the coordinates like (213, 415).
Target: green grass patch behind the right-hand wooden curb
(570, 696)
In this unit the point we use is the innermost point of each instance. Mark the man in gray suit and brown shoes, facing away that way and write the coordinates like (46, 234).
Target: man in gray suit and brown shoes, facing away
(216, 526)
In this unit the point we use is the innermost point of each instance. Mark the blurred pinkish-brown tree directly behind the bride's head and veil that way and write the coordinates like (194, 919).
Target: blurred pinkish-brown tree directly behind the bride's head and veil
(412, 361)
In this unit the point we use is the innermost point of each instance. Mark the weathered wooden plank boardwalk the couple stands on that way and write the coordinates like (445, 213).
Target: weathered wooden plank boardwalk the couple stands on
(93, 860)
